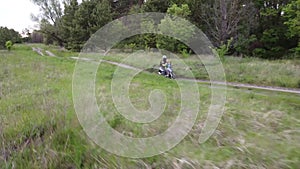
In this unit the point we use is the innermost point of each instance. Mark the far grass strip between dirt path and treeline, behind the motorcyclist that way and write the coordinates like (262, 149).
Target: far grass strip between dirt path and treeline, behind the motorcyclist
(281, 73)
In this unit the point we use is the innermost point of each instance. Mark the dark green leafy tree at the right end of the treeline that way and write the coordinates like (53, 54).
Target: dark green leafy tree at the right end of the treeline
(271, 31)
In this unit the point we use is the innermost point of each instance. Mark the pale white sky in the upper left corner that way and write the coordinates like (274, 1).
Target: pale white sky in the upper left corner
(15, 14)
